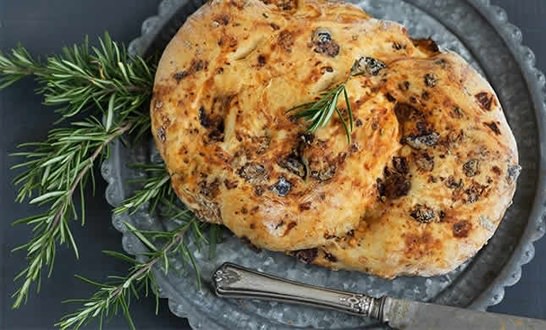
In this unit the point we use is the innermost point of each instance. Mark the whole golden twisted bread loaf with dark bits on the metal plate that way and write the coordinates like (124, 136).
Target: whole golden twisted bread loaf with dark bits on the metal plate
(424, 183)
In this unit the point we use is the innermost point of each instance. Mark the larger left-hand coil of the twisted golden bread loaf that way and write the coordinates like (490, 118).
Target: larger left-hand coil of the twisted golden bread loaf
(224, 86)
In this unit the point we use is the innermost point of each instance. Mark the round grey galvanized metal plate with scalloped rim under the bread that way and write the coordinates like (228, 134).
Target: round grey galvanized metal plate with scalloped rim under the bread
(480, 33)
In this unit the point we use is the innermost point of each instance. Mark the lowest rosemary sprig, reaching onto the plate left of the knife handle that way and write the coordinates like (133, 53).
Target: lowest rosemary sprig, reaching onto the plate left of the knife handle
(117, 292)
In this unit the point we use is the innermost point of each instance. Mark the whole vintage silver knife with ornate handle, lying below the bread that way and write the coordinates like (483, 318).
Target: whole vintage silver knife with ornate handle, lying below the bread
(233, 281)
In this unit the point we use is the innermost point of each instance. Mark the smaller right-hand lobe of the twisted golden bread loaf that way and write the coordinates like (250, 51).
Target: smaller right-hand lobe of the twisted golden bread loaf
(460, 183)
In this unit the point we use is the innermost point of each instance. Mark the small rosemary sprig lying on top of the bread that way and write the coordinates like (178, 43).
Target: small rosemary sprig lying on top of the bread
(319, 113)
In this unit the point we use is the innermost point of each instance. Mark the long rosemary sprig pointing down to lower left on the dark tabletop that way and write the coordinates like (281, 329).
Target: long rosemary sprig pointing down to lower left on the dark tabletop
(57, 169)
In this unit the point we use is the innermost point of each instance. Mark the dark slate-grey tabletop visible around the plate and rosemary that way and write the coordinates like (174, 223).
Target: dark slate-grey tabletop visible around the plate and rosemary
(43, 26)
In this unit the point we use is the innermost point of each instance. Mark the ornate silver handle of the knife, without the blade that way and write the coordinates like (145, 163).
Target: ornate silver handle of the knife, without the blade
(233, 281)
